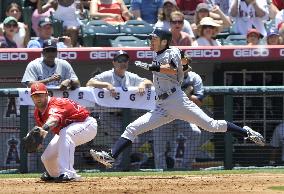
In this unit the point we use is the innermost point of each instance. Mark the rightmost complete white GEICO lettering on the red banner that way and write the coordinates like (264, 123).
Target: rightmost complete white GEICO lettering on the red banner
(251, 52)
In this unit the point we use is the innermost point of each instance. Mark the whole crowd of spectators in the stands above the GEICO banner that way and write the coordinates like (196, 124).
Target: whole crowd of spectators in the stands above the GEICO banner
(192, 22)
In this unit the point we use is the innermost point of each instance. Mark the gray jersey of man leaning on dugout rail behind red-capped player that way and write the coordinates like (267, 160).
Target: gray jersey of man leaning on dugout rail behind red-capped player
(38, 70)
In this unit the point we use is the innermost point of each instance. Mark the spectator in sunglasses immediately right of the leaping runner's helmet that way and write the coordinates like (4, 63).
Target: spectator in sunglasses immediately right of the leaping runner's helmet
(179, 38)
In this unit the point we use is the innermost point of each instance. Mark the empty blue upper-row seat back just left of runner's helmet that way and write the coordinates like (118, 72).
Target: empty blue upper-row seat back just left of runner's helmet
(140, 29)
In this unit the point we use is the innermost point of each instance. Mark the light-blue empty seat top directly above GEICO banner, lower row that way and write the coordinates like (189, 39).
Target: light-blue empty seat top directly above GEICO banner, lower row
(128, 41)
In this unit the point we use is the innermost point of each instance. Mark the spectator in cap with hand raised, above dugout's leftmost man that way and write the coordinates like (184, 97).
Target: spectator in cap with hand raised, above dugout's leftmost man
(45, 31)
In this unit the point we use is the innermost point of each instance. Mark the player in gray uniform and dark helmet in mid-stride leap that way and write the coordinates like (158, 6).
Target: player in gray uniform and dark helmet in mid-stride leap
(172, 103)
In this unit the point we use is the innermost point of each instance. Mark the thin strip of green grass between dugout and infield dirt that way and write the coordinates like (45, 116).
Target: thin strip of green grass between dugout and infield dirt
(165, 173)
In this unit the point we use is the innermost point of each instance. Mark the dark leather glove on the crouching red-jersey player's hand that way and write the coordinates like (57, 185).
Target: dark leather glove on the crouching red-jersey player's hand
(33, 139)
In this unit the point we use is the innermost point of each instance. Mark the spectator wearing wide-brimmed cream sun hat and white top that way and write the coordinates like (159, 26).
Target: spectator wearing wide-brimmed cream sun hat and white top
(207, 30)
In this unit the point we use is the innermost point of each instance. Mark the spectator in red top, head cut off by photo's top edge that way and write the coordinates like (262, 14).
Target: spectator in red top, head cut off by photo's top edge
(114, 12)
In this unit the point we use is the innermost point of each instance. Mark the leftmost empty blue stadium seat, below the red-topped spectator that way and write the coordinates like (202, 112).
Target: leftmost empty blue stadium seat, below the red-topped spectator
(99, 33)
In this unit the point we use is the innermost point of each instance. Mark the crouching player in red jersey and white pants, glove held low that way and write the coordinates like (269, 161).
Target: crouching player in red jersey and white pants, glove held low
(72, 127)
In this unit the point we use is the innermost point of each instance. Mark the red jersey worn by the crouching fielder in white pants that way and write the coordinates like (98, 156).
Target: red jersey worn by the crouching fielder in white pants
(65, 110)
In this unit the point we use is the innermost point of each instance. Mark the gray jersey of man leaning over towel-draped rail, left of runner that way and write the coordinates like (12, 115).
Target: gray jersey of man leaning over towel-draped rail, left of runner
(130, 79)
